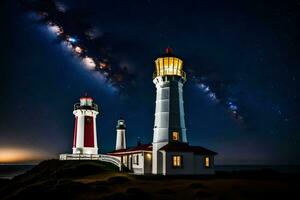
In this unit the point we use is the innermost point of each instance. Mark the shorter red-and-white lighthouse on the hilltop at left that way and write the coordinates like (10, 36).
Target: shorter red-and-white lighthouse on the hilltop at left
(85, 132)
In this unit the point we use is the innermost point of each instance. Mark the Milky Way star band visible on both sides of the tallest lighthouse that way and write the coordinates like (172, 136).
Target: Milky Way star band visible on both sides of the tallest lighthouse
(84, 41)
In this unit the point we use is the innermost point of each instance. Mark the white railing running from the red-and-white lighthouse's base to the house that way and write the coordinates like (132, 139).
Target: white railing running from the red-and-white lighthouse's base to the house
(101, 157)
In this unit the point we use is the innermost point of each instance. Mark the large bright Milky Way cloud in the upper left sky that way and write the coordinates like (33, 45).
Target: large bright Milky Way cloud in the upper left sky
(83, 39)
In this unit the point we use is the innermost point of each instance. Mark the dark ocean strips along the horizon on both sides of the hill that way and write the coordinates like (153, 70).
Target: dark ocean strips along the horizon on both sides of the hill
(10, 171)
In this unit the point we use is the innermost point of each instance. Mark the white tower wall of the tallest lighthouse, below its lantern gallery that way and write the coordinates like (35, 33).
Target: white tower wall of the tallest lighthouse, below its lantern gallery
(169, 117)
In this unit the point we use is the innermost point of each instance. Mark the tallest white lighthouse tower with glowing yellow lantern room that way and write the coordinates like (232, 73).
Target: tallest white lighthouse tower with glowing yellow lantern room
(169, 124)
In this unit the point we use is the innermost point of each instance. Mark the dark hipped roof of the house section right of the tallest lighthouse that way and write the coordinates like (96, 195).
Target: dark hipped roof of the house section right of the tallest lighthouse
(185, 147)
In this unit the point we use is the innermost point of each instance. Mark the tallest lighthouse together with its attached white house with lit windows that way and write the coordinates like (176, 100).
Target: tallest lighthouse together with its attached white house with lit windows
(170, 152)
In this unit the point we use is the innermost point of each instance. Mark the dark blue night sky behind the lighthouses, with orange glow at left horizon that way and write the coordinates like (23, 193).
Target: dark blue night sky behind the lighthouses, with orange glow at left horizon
(242, 59)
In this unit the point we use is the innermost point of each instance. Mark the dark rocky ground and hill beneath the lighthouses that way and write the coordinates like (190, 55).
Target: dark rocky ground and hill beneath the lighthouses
(55, 179)
